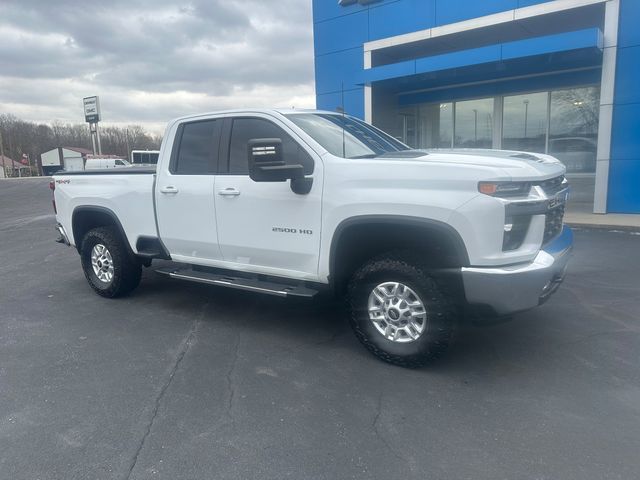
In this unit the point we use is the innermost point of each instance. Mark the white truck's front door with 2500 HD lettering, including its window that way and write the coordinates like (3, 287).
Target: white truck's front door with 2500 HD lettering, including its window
(265, 226)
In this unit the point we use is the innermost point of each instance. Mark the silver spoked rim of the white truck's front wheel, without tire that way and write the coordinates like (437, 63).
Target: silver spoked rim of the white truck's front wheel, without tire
(397, 312)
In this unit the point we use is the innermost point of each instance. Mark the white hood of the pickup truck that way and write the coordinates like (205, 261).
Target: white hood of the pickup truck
(515, 164)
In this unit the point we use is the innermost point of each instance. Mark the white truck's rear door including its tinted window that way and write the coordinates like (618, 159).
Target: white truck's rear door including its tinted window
(184, 193)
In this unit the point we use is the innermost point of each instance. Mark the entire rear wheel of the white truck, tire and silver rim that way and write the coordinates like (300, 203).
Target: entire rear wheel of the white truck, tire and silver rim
(108, 265)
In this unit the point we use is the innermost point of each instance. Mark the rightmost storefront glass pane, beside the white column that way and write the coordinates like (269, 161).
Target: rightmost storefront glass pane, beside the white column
(573, 131)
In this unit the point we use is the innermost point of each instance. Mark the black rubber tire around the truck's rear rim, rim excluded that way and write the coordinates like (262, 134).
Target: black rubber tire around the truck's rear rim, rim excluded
(127, 270)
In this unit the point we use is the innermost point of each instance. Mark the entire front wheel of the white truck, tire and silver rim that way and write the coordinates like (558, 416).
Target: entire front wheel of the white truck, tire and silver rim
(398, 312)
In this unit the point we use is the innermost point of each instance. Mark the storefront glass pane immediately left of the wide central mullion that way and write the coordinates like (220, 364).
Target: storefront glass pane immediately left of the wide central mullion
(474, 123)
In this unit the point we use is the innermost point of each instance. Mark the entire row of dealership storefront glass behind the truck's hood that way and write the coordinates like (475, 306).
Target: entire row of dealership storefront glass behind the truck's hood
(563, 123)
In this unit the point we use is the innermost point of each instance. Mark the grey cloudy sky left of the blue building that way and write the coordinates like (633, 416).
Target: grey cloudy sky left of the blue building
(152, 60)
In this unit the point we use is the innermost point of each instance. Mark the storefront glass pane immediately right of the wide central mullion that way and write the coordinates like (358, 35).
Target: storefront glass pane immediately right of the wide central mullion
(525, 122)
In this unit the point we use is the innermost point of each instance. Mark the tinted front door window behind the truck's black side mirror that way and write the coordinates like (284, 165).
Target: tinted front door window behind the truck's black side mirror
(245, 129)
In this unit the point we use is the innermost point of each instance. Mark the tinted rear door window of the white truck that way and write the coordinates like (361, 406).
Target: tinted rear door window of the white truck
(198, 149)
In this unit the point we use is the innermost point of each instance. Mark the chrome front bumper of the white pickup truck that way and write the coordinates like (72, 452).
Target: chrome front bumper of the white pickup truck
(514, 288)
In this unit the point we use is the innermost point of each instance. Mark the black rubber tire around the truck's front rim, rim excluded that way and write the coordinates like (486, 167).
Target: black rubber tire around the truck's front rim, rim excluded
(441, 315)
